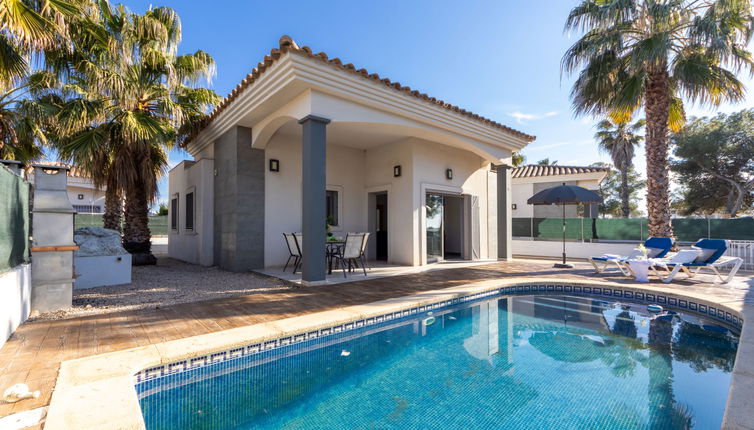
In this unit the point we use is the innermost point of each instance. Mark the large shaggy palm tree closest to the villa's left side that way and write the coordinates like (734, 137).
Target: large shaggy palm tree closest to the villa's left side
(133, 99)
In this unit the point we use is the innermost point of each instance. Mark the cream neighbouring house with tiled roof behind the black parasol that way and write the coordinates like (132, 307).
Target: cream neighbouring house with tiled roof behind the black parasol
(531, 179)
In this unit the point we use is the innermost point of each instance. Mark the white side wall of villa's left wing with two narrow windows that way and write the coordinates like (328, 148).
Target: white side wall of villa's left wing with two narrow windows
(197, 245)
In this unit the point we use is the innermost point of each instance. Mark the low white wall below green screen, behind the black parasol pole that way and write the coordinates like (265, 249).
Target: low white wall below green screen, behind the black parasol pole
(542, 248)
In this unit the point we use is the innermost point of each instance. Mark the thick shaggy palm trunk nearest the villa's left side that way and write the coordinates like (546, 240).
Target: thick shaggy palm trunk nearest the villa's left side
(136, 234)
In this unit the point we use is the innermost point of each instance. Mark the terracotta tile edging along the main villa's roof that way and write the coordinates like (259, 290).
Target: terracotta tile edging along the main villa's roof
(288, 45)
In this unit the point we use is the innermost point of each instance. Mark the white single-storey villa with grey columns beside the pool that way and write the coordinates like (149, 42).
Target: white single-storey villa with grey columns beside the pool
(303, 138)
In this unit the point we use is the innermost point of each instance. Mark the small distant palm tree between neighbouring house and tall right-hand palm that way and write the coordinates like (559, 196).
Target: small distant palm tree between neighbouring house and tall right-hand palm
(619, 139)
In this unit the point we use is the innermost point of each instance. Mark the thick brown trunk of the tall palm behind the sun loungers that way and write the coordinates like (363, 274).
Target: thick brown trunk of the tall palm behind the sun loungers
(657, 105)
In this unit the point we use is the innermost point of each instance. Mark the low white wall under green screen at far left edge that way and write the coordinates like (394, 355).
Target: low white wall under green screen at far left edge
(15, 299)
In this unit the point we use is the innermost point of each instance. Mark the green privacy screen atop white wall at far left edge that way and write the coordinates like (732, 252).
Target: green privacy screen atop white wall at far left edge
(14, 207)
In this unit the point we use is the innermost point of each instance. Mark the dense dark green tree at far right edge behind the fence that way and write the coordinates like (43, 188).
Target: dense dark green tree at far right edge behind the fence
(714, 161)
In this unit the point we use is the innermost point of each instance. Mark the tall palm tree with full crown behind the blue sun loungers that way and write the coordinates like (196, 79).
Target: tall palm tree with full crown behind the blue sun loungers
(648, 54)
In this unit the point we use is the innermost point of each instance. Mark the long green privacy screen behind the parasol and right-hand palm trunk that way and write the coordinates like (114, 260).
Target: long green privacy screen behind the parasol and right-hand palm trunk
(686, 229)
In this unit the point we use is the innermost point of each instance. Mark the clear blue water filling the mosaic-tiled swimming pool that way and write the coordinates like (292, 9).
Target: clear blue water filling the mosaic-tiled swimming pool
(526, 362)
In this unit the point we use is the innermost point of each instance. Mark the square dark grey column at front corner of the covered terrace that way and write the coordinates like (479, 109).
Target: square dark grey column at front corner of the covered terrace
(314, 214)
